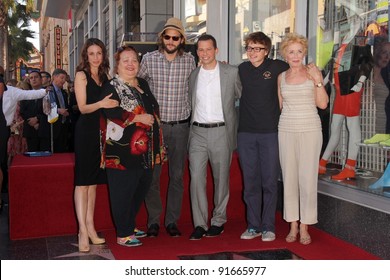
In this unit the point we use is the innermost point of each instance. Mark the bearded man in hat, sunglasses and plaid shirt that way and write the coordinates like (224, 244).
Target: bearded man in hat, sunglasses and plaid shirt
(167, 70)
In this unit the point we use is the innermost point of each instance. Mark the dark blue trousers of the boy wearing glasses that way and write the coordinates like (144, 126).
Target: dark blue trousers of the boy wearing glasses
(259, 160)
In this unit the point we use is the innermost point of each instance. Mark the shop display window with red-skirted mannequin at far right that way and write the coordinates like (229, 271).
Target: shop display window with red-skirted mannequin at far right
(353, 49)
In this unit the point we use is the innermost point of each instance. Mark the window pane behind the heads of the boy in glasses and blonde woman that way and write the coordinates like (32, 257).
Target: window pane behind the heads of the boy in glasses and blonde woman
(274, 18)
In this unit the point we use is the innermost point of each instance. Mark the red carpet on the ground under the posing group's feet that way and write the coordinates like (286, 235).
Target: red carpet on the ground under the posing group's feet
(164, 247)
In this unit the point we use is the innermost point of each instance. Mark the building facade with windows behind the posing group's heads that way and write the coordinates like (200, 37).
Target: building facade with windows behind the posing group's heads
(326, 23)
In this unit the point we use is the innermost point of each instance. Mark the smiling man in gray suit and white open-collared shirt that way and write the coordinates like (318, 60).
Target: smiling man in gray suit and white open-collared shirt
(214, 88)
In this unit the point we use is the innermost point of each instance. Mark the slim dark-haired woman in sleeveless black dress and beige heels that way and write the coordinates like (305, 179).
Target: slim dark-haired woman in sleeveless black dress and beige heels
(91, 74)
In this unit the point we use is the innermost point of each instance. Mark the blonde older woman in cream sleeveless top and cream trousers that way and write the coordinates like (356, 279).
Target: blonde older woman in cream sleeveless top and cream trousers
(300, 91)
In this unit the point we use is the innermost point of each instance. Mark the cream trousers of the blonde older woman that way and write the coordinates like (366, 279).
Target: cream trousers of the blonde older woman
(299, 154)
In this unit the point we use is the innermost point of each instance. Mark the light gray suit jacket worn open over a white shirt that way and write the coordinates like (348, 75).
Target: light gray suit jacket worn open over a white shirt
(230, 91)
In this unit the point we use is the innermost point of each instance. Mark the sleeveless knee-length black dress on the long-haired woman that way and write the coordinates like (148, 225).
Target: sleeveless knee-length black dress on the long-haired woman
(87, 141)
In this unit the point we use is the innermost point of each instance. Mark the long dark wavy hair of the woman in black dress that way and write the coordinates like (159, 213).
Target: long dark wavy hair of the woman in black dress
(104, 67)
